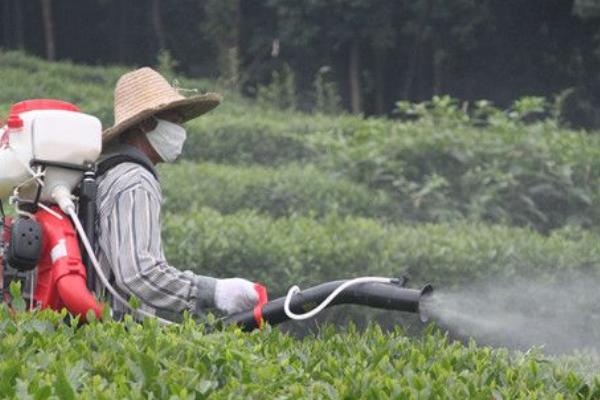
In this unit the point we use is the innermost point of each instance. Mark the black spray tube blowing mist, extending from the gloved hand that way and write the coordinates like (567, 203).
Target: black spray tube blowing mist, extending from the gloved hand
(389, 296)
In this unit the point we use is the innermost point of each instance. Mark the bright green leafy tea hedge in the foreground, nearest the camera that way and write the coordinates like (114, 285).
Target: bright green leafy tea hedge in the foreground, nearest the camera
(42, 357)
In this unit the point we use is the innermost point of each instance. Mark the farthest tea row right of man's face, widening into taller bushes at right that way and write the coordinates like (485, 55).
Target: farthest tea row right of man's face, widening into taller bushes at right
(536, 175)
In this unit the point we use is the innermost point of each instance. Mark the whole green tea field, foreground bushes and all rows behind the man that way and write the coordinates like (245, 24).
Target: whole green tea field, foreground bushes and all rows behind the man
(288, 198)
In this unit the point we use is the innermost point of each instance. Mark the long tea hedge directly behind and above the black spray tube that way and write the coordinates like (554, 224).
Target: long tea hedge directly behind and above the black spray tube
(285, 251)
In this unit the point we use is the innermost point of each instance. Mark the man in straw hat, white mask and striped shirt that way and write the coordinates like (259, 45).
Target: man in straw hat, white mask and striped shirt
(147, 131)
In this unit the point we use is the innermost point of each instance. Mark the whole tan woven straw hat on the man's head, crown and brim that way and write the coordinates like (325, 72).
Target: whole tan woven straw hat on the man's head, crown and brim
(144, 92)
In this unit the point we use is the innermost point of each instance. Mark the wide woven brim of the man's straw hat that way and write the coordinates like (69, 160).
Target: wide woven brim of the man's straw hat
(189, 108)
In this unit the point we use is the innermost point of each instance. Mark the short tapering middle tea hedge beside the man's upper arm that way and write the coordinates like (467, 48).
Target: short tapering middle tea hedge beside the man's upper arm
(283, 191)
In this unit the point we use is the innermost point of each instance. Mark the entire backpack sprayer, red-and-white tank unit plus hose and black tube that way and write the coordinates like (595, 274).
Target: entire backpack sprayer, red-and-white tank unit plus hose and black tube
(48, 151)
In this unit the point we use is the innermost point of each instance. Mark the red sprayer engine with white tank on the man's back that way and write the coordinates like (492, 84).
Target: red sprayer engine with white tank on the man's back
(46, 147)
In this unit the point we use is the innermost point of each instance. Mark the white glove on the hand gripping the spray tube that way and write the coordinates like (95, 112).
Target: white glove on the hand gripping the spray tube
(235, 295)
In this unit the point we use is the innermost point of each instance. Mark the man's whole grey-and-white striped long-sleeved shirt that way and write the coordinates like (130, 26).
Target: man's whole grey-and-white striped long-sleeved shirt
(129, 246)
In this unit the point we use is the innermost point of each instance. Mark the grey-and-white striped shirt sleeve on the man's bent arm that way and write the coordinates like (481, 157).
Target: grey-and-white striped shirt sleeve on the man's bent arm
(139, 264)
